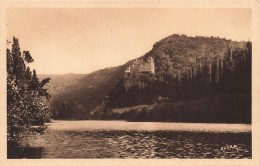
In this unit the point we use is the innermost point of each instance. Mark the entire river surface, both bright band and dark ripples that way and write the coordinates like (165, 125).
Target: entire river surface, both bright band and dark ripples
(120, 139)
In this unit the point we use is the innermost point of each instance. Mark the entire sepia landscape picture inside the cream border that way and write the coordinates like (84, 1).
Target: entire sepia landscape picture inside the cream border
(128, 83)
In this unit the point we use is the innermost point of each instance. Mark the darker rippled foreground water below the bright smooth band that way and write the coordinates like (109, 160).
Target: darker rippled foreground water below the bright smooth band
(139, 144)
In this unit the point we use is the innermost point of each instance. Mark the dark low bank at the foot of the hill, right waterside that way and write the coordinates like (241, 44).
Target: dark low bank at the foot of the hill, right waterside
(221, 108)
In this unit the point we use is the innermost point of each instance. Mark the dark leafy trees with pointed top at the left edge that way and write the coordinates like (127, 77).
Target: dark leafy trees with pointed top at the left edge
(26, 106)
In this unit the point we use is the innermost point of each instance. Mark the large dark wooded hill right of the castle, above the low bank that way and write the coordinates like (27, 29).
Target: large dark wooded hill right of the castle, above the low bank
(190, 76)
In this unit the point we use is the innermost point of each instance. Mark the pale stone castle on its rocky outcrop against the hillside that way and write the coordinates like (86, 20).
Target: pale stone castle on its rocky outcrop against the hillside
(136, 68)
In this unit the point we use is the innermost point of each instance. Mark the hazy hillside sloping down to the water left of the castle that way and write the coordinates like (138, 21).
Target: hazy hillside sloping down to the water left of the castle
(74, 95)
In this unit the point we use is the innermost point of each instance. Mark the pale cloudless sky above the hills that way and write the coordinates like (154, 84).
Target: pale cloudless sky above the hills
(71, 40)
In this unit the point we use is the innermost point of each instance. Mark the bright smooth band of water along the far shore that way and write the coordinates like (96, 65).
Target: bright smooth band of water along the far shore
(91, 125)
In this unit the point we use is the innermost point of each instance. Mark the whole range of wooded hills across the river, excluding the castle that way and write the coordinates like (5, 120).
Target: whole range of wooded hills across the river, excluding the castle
(186, 69)
